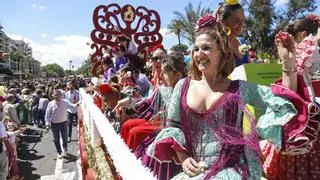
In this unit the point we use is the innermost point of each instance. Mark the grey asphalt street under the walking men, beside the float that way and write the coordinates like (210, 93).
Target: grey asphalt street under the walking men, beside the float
(37, 156)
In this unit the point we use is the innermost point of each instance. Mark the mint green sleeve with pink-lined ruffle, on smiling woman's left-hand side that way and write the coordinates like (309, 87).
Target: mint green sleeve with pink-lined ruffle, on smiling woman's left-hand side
(170, 139)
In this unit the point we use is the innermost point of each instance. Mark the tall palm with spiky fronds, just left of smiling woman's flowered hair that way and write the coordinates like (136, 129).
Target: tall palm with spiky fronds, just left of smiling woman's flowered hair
(189, 20)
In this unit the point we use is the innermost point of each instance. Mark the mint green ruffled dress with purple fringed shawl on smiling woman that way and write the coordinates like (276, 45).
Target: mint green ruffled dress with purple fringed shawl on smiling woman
(216, 136)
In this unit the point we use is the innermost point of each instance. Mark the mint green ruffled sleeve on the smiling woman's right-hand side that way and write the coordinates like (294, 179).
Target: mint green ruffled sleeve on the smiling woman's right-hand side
(273, 111)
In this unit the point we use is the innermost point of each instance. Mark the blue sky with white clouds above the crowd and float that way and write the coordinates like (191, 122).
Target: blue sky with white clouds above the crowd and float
(58, 30)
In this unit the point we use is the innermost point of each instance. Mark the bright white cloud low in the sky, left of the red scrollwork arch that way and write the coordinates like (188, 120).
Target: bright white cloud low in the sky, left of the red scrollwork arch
(61, 51)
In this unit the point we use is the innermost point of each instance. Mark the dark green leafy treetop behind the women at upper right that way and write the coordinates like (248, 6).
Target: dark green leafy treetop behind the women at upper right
(264, 21)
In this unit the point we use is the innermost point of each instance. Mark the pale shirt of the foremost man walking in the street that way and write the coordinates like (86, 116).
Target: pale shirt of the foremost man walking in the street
(57, 111)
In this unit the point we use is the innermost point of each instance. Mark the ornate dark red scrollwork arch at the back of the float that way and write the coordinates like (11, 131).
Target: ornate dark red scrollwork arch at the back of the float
(140, 24)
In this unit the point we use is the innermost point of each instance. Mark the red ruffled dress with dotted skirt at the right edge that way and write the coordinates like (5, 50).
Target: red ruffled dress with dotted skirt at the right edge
(304, 131)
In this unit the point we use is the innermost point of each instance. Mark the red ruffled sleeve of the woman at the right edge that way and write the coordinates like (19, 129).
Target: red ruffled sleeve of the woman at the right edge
(302, 131)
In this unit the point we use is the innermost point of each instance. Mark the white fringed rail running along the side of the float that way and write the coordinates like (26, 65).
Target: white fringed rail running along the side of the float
(128, 166)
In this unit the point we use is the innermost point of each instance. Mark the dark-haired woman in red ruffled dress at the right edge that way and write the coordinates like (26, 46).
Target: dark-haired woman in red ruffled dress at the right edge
(300, 157)
